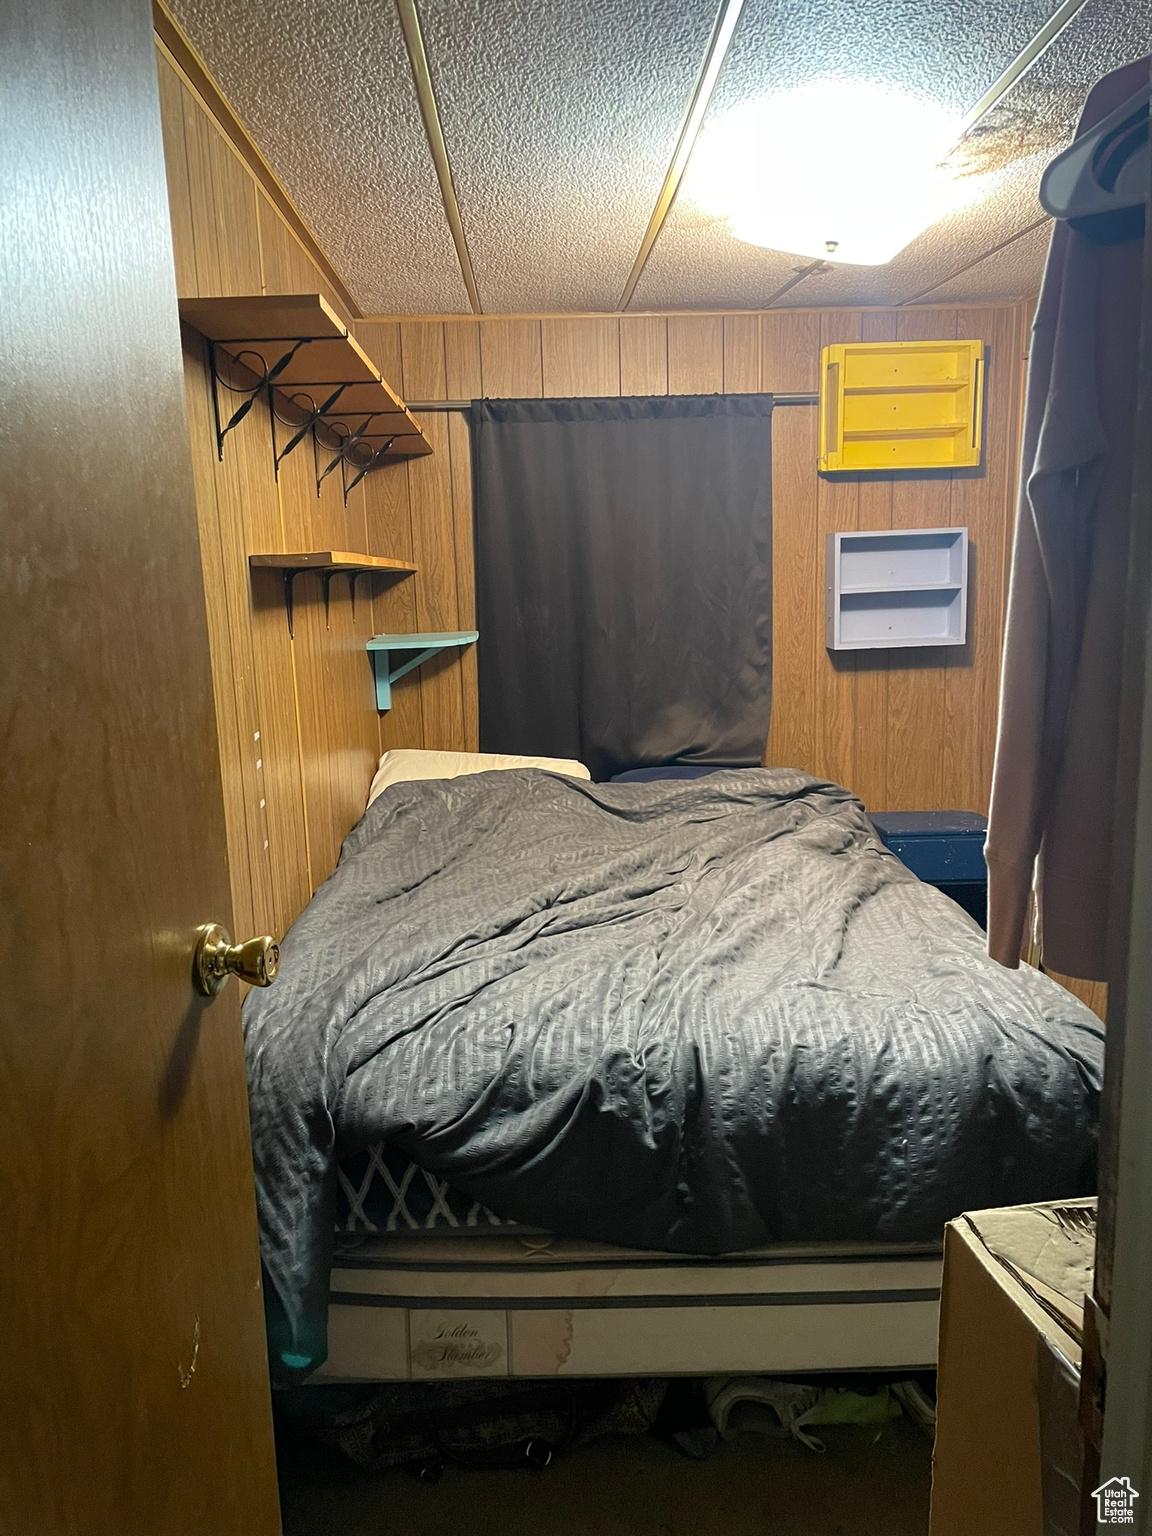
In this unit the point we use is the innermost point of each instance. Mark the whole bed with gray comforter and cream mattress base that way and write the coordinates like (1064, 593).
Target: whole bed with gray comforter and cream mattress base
(689, 1076)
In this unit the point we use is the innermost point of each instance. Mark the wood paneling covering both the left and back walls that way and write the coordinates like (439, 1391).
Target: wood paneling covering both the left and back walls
(297, 718)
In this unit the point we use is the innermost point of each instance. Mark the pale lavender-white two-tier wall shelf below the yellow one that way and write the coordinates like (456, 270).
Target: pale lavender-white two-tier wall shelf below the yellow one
(896, 589)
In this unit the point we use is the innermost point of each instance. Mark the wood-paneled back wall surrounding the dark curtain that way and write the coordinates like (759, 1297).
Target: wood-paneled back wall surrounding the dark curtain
(905, 730)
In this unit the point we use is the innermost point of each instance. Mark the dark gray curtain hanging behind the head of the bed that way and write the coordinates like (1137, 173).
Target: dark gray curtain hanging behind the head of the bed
(624, 575)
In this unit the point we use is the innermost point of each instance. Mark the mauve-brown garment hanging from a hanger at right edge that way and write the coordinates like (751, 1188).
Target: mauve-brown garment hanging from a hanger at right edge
(1056, 761)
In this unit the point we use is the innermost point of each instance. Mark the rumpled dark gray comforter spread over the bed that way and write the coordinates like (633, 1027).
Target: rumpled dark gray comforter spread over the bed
(695, 1015)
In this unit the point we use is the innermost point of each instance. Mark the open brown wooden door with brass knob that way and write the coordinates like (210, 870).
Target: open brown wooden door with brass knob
(134, 1389)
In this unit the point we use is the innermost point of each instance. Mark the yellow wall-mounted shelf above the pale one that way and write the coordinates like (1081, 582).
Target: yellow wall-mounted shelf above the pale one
(901, 405)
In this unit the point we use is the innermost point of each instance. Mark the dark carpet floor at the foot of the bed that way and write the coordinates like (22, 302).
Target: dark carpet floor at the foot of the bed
(869, 1483)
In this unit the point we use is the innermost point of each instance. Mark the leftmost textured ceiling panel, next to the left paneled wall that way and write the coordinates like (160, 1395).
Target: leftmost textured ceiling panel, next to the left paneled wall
(326, 93)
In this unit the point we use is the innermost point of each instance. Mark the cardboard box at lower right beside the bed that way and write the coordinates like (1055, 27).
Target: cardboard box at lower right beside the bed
(1008, 1449)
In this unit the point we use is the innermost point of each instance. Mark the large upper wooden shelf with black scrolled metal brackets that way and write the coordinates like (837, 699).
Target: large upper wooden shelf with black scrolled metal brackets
(296, 353)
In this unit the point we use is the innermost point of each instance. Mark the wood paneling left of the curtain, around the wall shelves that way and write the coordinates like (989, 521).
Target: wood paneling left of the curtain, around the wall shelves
(297, 718)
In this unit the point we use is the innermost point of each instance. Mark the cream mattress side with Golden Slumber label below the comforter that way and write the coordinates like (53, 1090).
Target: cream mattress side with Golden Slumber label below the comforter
(442, 1305)
